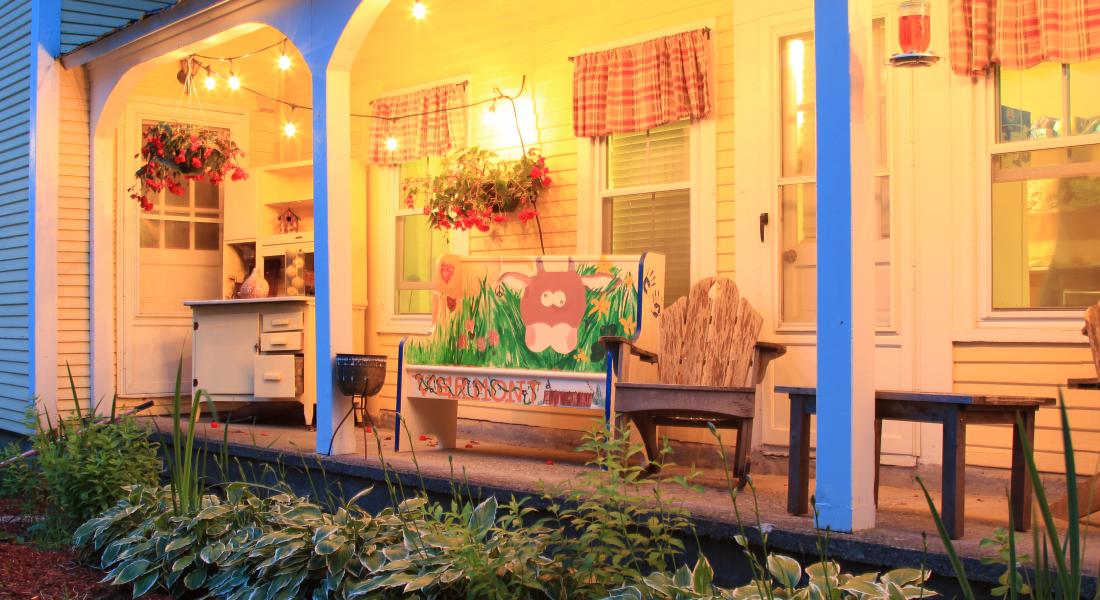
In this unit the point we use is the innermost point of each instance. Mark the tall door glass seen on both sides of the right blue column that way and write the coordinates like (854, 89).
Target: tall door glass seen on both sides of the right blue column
(797, 182)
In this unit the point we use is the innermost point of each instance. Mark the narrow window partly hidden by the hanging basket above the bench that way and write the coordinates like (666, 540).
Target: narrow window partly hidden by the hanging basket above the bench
(416, 245)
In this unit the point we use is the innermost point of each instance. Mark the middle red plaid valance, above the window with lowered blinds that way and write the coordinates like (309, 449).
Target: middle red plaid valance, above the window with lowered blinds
(642, 86)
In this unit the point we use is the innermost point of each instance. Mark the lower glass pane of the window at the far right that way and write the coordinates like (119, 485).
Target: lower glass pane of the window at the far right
(1046, 219)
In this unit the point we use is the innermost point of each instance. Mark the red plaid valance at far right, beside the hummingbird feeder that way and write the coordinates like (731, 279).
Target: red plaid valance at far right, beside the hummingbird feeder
(1022, 34)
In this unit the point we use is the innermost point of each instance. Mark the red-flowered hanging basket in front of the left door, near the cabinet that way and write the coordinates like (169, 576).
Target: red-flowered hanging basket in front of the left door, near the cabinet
(173, 154)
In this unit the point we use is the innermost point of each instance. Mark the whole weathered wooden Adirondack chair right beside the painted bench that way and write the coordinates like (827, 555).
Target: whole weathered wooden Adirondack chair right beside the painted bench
(709, 365)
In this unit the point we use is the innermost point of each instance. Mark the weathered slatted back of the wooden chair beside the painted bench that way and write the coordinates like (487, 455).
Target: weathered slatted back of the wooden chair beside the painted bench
(709, 337)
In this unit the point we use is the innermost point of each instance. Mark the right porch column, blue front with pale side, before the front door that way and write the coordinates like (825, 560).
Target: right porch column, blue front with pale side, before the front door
(845, 267)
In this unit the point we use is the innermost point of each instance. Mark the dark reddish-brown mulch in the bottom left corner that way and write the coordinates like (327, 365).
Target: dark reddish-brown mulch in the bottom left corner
(28, 573)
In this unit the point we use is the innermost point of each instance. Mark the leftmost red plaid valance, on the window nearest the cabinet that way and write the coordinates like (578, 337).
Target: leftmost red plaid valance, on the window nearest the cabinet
(425, 125)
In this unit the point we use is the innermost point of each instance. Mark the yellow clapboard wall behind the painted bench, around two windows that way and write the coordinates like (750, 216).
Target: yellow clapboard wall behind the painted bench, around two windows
(534, 40)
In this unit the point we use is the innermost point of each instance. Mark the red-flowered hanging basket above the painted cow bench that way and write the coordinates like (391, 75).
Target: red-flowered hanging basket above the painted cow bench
(476, 190)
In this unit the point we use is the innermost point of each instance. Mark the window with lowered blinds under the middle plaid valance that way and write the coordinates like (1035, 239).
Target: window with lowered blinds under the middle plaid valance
(647, 199)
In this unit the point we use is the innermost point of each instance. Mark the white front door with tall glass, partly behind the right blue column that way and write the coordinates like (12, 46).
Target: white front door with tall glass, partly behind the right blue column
(776, 167)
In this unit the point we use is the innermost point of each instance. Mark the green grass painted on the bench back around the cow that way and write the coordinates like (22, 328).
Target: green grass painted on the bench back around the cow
(496, 309)
